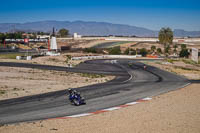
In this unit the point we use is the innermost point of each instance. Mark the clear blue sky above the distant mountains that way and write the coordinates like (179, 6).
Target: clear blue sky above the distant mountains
(152, 14)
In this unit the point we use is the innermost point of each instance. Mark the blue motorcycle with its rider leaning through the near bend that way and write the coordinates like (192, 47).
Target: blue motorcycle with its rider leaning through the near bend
(75, 98)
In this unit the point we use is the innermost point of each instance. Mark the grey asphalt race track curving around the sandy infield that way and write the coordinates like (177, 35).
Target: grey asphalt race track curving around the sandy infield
(132, 82)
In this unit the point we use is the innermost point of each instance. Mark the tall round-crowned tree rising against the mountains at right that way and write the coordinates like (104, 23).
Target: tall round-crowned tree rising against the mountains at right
(166, 36)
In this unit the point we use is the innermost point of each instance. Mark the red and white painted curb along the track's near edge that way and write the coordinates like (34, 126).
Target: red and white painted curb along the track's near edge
(105, 110)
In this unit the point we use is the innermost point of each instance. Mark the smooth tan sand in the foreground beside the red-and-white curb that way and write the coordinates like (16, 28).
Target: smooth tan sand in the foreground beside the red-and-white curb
(177, 112)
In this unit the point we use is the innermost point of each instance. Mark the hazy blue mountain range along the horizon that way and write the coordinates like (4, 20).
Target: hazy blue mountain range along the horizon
(90, 28)
